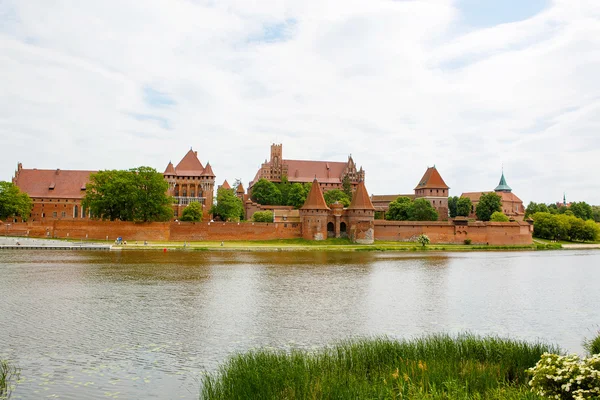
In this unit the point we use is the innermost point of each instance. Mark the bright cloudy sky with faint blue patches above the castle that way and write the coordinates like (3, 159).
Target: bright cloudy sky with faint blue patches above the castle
(467, 85)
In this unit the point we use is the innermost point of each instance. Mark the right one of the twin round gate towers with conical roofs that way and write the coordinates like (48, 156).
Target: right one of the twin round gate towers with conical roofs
(361, 216)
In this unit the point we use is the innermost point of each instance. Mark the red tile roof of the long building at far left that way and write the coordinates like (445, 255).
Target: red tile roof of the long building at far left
(66, 184)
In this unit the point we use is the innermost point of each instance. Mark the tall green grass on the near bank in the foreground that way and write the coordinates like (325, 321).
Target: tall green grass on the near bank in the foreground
(433, 367)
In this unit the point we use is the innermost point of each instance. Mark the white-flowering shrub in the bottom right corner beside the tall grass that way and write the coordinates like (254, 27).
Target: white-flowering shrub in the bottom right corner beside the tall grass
(566, 377)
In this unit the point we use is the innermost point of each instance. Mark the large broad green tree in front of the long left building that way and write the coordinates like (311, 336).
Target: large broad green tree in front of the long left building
(138, 194)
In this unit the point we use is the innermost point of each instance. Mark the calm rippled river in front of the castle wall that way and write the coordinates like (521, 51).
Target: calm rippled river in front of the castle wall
(143, 324)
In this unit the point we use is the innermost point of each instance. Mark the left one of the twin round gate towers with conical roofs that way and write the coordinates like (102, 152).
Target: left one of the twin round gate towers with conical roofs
(314, 213)
